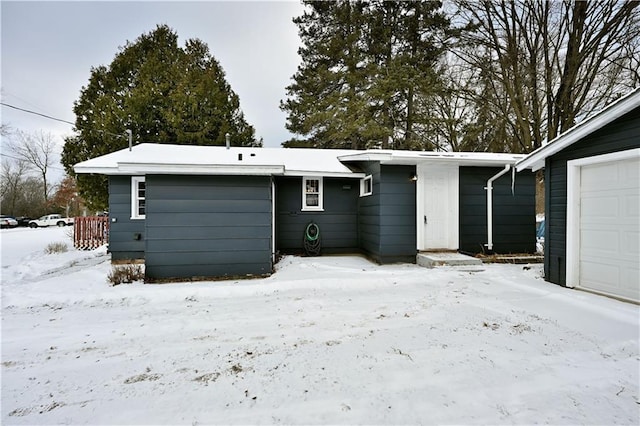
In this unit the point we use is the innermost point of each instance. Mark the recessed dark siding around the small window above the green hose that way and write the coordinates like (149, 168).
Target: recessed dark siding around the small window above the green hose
(337, 223)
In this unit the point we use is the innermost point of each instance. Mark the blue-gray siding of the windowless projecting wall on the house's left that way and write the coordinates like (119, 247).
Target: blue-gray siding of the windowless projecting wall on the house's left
(207, 226)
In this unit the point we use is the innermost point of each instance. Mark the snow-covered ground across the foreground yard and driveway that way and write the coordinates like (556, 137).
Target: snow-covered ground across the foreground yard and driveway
(334, 340)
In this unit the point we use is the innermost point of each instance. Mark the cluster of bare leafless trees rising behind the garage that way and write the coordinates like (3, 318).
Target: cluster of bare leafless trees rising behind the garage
(543, 65)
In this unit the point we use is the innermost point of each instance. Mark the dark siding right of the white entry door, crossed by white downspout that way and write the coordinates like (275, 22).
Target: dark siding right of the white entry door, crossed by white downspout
(513, 213)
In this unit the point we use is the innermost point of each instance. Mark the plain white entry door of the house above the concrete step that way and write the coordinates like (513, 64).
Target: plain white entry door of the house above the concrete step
(437, 207)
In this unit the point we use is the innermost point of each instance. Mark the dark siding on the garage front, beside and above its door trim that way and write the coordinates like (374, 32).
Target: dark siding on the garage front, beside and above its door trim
(619, 135)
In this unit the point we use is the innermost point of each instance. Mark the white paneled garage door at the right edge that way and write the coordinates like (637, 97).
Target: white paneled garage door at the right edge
(609, 228)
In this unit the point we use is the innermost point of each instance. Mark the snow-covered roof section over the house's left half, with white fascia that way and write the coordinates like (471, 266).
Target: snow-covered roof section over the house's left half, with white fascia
(218, 160)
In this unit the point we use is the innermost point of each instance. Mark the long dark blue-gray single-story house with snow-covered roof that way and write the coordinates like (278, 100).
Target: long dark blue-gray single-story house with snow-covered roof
(205, 211)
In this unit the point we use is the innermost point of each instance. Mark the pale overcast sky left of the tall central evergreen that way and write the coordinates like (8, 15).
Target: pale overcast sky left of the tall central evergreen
(48, 49)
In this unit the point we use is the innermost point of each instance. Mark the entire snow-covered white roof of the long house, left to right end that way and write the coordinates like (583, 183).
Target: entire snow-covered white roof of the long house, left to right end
(150, 158)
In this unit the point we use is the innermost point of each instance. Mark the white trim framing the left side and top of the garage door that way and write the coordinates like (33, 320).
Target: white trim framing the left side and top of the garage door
(573, 207)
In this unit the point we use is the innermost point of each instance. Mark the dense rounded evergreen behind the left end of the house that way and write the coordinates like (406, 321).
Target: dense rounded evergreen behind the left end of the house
(161, 92)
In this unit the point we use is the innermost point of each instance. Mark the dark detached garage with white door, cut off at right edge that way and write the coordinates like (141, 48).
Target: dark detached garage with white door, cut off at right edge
(592, 201)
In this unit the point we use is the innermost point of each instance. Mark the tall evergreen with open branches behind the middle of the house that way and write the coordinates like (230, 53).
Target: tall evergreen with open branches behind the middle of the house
(364, 66)
